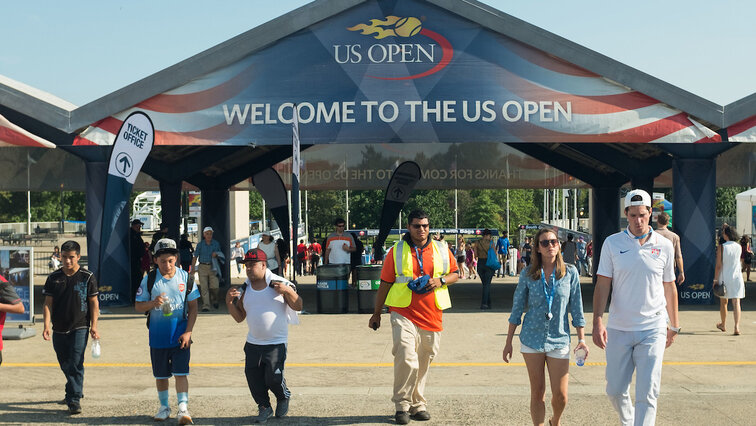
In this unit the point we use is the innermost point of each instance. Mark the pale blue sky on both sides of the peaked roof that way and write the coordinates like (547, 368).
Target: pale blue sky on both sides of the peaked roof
(74, 49)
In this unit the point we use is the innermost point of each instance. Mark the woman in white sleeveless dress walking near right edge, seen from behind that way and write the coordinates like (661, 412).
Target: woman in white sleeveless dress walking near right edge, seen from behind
(728, 273)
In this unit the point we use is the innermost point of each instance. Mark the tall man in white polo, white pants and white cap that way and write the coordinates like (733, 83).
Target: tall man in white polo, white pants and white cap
(637, 267)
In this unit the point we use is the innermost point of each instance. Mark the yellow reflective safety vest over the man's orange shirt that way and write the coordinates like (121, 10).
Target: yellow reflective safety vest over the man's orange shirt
(400, 295)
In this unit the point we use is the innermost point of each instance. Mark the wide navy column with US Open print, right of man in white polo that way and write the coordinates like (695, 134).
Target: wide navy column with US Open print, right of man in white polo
(693, 213)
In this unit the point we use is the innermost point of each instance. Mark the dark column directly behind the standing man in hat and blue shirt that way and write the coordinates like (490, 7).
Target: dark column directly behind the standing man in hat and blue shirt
(215, 214)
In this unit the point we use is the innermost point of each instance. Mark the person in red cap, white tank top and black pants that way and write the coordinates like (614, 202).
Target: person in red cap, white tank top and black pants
(269, 303)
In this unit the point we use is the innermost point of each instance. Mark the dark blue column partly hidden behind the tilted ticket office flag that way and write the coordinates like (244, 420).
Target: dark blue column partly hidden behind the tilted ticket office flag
(96, 176)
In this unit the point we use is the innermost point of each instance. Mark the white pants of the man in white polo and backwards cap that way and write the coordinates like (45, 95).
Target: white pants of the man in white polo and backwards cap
(642, 351)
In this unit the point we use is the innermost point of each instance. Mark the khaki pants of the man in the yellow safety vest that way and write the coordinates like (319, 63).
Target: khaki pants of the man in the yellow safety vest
(414, 350)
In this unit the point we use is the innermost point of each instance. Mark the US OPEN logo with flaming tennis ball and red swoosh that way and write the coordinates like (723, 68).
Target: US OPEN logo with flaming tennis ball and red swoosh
(409, 43)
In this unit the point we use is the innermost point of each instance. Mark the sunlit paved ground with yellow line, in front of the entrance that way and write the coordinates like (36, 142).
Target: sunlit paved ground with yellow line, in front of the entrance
(340, 372)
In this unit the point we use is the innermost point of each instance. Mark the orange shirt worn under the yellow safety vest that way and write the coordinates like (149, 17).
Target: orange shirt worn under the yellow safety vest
(422, 310)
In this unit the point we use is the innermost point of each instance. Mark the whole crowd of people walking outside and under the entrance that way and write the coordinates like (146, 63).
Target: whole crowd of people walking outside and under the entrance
(639, 268)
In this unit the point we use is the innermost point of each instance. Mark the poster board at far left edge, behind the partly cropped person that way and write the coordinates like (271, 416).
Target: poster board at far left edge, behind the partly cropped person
(16, 267)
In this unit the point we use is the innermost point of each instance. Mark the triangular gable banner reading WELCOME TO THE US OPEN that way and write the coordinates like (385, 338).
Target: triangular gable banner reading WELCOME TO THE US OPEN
(406, 71)
